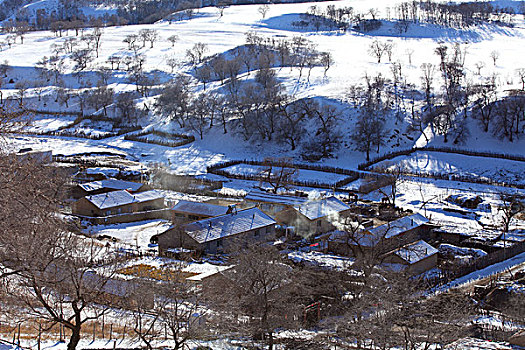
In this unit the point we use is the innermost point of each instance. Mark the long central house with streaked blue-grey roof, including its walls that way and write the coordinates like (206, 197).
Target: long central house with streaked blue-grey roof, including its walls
(216, 234)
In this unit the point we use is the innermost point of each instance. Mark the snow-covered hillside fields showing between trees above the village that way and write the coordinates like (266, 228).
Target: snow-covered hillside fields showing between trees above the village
(223, 33)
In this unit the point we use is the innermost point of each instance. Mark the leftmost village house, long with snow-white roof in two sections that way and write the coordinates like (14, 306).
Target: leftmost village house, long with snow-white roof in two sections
(118, 202)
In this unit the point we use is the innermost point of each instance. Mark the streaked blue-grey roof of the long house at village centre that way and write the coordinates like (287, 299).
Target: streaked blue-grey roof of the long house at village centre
(228, 225)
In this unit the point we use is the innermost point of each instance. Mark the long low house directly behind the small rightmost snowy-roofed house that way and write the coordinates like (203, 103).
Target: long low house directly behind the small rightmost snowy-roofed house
(383, 238)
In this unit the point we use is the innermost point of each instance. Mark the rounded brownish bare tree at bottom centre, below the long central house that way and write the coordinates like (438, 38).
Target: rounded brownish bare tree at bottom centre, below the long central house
(260, 289)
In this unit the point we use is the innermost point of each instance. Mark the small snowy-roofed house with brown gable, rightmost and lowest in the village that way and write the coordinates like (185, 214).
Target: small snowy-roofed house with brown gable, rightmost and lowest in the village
(414, 258)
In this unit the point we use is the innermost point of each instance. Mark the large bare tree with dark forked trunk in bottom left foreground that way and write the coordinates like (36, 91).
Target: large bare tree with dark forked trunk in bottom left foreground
(52, 271)
